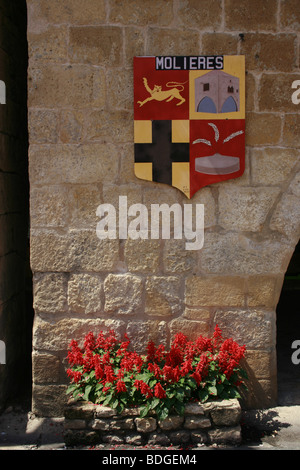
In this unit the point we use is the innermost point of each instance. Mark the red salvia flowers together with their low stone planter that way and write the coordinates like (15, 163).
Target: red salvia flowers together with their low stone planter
(188, 394)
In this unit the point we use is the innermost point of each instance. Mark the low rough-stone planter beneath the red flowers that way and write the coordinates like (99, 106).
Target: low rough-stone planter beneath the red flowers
(216, 422)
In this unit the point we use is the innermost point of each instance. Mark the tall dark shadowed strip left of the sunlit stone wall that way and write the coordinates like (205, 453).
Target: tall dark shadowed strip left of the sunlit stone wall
(15, 278)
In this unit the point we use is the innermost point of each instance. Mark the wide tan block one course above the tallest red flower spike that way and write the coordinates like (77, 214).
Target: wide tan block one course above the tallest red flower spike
(215, 291)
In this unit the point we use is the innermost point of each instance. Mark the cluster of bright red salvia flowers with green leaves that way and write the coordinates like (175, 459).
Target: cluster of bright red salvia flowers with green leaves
(114, 372)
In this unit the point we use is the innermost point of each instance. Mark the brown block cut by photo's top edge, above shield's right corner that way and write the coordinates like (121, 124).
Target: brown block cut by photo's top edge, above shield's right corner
(254, 16)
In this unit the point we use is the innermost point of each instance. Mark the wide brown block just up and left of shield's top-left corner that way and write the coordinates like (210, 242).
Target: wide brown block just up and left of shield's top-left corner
(96, 45)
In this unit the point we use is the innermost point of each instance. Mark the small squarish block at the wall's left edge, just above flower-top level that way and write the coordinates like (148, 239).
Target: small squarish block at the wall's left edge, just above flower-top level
(49, 292)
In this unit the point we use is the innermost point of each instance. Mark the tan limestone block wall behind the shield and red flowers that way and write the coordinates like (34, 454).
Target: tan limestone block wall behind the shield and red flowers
(81, 155)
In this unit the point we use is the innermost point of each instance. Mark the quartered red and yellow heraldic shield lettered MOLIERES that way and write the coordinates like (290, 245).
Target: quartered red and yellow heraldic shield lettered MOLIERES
(189, 120)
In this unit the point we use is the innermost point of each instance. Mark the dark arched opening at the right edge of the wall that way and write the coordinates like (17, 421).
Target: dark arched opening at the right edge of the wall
(288, 331)
